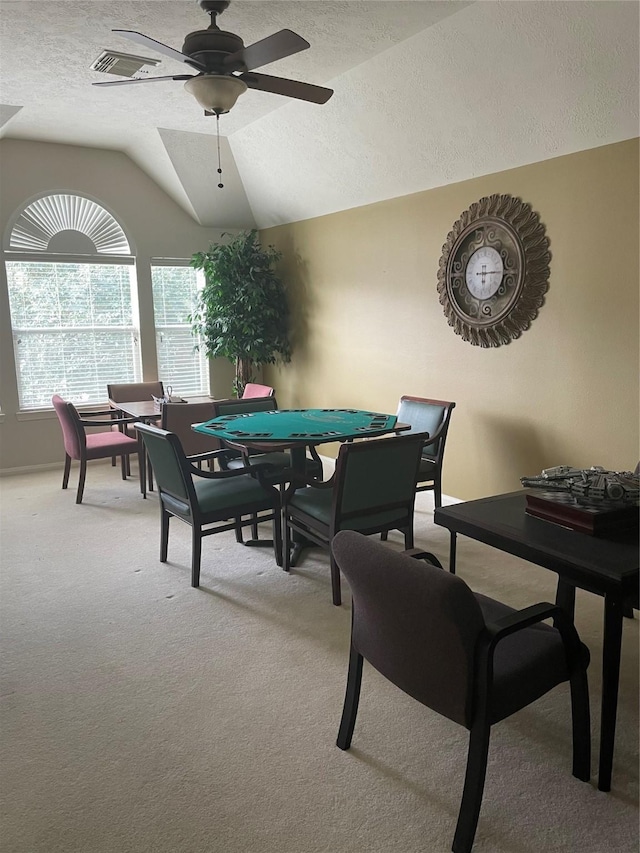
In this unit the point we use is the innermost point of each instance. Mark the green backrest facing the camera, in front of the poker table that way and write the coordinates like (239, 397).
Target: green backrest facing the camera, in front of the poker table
(376, 476)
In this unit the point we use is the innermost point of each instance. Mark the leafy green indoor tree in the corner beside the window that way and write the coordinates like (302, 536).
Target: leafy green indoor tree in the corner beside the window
(242, 312)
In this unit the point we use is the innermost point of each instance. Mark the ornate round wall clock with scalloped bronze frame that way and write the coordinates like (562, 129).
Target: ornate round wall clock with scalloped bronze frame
(494, 271)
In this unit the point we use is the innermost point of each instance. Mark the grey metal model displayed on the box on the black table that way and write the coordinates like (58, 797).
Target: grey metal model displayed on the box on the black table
(589, 486)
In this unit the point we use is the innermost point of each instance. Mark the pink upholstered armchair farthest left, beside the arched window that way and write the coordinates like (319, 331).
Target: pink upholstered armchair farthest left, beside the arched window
(102, 445)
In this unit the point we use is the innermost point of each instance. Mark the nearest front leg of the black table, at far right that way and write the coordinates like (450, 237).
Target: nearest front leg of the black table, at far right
(610, 679)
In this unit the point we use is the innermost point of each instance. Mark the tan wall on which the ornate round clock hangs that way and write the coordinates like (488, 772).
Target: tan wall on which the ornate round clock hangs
(369, 327)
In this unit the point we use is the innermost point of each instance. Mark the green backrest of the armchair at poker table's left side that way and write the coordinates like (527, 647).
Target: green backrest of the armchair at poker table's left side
(170, 466)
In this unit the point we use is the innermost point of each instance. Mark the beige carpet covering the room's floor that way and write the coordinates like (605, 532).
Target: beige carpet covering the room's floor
(142, 715)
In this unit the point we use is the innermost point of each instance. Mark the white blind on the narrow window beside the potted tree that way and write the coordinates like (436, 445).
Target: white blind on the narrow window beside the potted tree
(182, 363)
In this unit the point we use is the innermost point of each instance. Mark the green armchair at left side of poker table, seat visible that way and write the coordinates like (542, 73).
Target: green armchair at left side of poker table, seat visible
(209, 501)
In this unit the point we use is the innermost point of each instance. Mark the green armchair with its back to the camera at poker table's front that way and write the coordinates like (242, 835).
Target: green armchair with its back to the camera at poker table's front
(372, 490)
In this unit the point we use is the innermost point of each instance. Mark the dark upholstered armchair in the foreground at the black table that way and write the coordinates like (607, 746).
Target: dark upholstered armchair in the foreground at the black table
(470, 658)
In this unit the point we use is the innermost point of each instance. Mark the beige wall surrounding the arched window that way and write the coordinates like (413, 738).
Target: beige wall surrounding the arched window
(156, 227)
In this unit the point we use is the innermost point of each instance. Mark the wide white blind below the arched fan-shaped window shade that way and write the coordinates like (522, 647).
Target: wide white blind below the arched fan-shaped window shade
(73, 329)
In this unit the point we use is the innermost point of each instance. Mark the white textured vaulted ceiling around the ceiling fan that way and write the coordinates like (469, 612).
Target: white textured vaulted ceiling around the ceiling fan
(426, 93)
